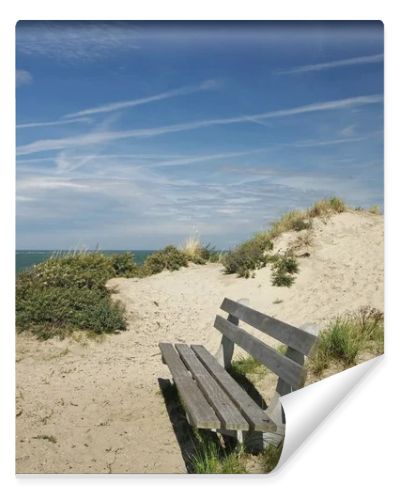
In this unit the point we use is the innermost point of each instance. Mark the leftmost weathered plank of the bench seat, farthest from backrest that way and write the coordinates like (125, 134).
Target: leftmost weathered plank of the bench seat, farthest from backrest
(200, 413)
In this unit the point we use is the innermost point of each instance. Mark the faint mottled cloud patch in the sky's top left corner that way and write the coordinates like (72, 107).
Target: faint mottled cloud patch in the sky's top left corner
(74, 40)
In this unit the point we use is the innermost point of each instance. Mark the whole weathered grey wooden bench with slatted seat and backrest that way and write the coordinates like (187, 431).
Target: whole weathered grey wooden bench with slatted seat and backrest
(214, 400)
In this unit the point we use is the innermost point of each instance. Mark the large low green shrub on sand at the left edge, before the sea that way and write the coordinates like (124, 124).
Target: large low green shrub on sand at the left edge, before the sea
(69, 292)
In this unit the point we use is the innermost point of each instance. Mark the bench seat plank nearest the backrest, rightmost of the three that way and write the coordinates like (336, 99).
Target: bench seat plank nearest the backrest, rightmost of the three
(256, 417)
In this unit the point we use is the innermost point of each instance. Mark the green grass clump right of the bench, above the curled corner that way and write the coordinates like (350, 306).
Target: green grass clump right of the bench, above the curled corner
(347, 337)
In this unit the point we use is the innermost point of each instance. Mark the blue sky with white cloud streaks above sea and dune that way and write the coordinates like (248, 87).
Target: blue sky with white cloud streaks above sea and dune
(140, 134)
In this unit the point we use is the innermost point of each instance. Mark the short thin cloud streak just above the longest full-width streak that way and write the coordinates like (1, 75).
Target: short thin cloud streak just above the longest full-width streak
(114, 106)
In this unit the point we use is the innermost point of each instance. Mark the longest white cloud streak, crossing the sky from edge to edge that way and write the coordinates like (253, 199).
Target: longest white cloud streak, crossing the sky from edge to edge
(102, 137)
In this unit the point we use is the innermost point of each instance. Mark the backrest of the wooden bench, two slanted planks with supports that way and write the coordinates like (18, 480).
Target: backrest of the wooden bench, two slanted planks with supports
(289, 366)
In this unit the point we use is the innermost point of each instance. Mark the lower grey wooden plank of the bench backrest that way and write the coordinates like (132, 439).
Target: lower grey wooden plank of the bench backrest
(291, 372)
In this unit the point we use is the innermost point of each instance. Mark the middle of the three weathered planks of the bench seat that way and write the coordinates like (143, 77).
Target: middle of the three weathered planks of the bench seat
(230, 416)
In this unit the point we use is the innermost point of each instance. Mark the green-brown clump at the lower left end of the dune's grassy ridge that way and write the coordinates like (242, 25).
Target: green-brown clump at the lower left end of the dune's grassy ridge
(249, 256)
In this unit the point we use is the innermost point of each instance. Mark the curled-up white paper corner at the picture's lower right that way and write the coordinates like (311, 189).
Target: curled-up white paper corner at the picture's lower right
(308, 407)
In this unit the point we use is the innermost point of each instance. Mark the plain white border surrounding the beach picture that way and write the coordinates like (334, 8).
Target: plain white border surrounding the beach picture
(351, 453)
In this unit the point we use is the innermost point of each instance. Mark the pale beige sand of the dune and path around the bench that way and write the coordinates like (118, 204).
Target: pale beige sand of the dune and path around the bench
(101, 400)
